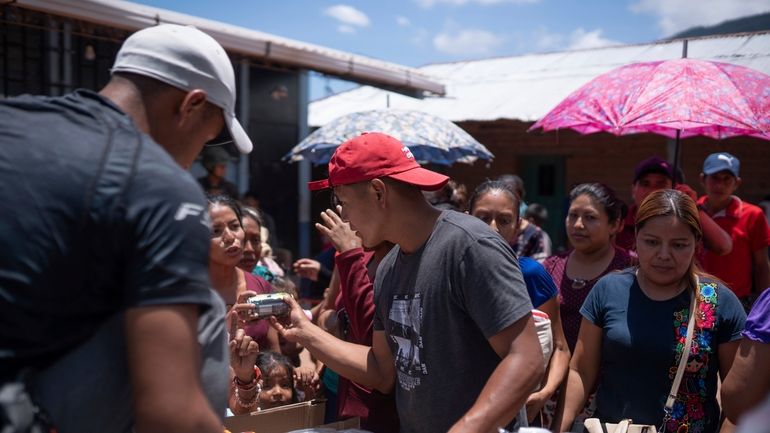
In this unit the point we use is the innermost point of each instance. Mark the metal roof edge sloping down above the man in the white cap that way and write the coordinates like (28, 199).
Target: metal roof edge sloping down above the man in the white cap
(263, 46)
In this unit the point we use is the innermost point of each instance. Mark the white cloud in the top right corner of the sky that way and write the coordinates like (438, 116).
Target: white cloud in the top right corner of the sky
(677, 15)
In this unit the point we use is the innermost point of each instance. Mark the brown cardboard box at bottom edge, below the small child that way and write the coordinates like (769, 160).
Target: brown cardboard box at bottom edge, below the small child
(279, 420)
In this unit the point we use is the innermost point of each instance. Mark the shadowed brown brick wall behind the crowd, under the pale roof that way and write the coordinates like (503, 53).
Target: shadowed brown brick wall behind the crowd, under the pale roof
(606, 158)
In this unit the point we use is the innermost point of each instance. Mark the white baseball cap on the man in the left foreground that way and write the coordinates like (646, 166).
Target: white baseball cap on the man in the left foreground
(186, 58)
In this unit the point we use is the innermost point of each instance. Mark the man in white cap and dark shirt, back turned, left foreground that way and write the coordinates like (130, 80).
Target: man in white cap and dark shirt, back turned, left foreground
(107, 309)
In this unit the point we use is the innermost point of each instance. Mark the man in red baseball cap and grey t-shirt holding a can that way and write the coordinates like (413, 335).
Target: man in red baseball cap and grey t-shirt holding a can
(453, 332)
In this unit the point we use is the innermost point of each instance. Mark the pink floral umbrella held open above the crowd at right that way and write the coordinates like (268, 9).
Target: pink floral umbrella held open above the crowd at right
(675, 98)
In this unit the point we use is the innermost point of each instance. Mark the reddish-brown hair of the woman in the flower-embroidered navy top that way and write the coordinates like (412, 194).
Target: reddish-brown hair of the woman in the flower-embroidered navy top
(668, 202)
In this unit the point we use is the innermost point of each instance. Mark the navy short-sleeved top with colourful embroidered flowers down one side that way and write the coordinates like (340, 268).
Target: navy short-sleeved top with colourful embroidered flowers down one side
(638, 349)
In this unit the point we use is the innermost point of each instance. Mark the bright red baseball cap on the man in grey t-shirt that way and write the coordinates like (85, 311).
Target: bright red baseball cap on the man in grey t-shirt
(373, 155)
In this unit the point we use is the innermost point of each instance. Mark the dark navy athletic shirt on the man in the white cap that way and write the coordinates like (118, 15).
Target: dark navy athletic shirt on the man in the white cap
(97, 218)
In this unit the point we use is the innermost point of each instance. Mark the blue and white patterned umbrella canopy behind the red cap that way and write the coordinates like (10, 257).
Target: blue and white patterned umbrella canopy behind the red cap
(431, 139)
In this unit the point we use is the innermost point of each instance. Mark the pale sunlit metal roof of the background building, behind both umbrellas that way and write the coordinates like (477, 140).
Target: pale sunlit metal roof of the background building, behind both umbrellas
(527, 87)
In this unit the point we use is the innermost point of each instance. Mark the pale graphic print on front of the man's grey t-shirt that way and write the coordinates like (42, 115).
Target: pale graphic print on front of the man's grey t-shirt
(406, 322)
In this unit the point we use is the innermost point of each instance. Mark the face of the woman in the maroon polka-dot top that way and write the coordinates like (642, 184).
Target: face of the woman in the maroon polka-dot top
(588, 226)
